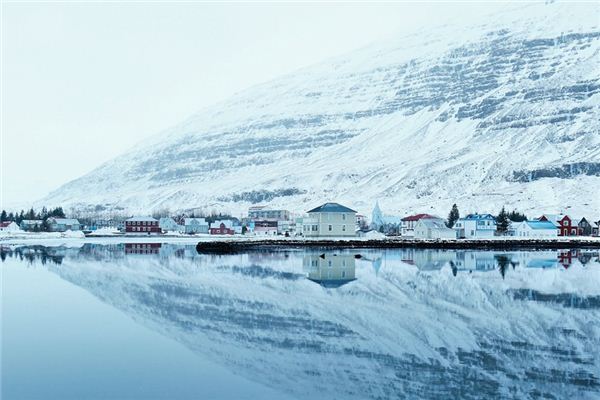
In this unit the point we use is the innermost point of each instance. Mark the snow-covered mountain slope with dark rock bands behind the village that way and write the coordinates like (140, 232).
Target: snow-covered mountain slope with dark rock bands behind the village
(503, 111)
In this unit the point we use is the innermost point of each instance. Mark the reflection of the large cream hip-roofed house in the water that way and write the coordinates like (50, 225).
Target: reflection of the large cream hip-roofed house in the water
(330, 270)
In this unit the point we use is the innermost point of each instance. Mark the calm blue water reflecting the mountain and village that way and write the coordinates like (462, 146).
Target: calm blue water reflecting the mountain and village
(141, 321)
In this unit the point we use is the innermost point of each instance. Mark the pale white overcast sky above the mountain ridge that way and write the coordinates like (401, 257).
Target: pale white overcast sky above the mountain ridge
(82, 82)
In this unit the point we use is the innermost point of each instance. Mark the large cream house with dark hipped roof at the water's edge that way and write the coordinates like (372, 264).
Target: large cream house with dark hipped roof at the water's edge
(330, 220)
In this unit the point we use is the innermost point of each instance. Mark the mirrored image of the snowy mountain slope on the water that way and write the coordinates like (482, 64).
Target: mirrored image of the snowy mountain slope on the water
(401, 332)
